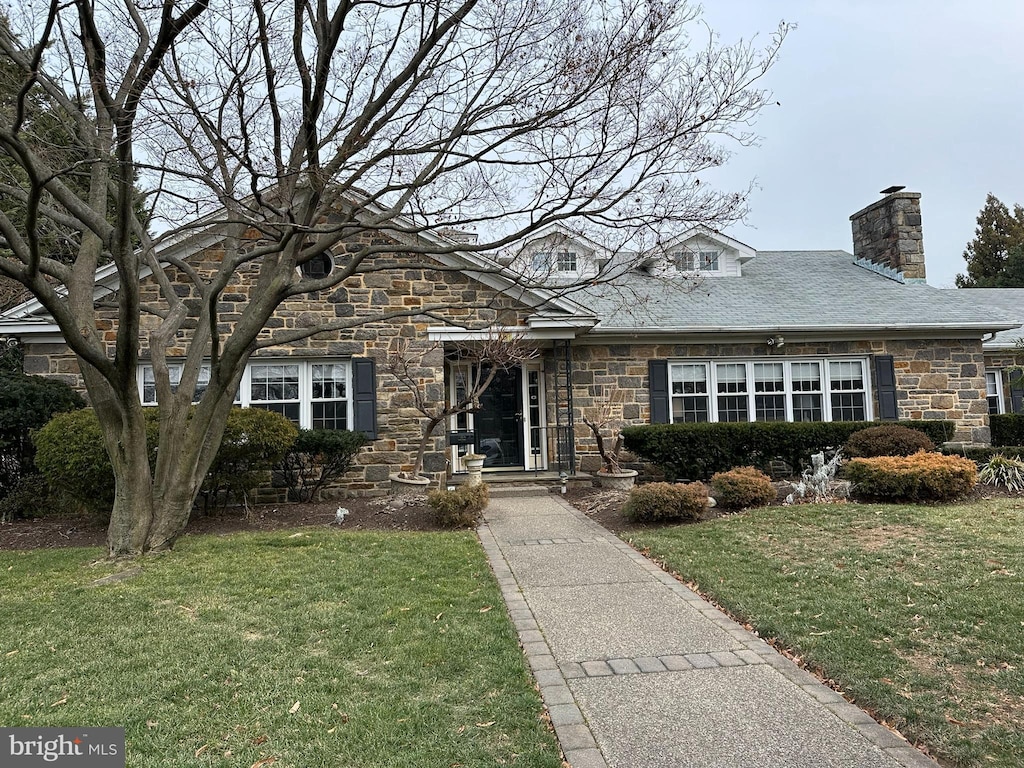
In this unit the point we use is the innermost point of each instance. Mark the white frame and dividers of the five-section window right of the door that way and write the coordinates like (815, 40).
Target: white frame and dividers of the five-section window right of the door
(711, 371)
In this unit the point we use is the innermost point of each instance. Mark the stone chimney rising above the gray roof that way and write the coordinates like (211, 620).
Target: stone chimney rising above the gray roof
(888, 236)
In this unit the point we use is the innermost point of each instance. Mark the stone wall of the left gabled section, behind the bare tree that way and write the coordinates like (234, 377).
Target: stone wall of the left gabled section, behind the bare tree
(391, 286)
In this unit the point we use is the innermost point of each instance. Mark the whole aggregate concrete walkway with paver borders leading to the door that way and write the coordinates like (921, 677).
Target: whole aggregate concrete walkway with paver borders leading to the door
(637, 671)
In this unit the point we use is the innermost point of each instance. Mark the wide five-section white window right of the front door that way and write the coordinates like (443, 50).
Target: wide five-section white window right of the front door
(770, 391)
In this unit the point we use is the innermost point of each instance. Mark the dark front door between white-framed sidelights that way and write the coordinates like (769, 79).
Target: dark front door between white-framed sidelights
(499, 422)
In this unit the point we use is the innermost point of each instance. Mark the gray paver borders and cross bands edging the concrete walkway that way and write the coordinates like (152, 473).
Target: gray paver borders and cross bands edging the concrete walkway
(575, 736)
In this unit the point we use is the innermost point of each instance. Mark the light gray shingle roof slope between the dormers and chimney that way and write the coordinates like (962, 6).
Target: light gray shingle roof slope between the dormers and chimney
(788, 290)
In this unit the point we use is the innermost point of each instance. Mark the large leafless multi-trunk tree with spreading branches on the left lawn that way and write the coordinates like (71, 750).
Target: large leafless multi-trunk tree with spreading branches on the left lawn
(289, 129)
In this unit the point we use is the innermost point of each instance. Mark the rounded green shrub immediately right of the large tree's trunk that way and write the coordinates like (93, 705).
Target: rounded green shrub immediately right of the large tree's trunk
(254, 442)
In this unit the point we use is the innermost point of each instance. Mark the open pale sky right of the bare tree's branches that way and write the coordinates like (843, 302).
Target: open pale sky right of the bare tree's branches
(925, 94)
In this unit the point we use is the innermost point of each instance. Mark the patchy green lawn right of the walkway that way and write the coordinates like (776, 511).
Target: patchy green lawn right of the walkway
(917, 613)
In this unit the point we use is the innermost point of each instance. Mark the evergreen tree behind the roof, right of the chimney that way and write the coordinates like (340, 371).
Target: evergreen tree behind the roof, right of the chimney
(989, 257)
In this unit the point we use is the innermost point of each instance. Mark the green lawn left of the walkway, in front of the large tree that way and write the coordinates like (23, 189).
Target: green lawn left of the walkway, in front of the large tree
(397, 649)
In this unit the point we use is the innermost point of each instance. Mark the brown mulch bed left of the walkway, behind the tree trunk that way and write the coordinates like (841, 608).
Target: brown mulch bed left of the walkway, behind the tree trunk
(383, 514)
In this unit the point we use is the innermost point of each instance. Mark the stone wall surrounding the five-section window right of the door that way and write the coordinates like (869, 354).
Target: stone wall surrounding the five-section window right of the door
(935, 379)
